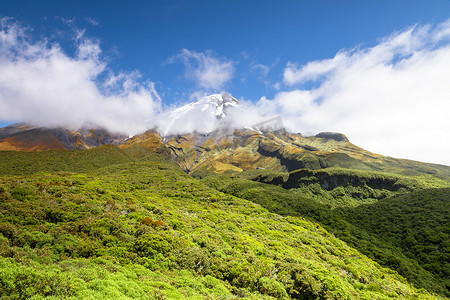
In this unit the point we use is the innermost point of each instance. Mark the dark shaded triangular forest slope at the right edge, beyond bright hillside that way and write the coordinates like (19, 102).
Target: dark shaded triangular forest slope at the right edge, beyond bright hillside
(418, 223)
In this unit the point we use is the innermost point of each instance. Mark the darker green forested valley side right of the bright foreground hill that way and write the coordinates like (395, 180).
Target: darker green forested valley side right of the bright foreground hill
(408, 232)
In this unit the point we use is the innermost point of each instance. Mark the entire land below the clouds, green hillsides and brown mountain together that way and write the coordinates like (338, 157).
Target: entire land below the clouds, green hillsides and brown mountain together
(257, 213)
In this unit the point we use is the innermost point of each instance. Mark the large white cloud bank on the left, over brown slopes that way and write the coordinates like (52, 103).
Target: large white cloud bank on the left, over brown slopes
(41, 84)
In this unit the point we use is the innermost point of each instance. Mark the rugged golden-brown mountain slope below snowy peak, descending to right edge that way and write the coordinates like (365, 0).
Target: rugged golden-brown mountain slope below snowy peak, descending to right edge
(284, 152)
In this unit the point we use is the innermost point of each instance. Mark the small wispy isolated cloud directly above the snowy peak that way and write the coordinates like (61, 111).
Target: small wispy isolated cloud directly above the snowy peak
(209, 72)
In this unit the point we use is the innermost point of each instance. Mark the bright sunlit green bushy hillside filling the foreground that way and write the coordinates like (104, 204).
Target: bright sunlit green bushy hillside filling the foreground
(146, 230)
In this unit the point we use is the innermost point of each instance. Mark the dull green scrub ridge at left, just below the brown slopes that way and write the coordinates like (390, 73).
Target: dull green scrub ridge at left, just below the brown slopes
(27, 163)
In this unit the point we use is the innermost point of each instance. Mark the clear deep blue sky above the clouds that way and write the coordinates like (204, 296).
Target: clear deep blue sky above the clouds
(144, 35)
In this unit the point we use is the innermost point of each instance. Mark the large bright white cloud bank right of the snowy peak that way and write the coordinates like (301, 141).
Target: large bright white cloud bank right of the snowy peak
(393, 98)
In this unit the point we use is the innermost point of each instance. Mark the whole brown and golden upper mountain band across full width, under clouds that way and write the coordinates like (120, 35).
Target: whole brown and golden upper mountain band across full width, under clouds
(226, 150)
